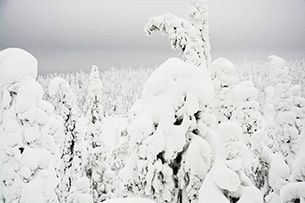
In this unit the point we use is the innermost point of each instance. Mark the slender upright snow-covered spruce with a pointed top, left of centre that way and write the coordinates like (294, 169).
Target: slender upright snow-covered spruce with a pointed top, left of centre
(103, 181)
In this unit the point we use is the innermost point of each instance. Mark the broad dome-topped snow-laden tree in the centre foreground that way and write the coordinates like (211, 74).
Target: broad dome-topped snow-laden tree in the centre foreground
(172, 145)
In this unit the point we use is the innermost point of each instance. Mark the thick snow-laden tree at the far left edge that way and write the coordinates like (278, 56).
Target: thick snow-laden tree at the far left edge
(27, 170)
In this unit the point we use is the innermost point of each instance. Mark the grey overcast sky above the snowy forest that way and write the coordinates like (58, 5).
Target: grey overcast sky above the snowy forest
(69, 35)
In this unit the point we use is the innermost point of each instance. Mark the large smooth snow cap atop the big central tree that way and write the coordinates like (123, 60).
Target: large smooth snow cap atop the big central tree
(175, 73)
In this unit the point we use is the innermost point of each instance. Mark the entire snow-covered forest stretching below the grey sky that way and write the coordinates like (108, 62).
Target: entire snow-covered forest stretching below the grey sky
(190, 130)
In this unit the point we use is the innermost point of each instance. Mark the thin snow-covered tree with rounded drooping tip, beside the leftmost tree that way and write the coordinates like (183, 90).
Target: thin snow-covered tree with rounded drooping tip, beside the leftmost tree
(71, 160)
